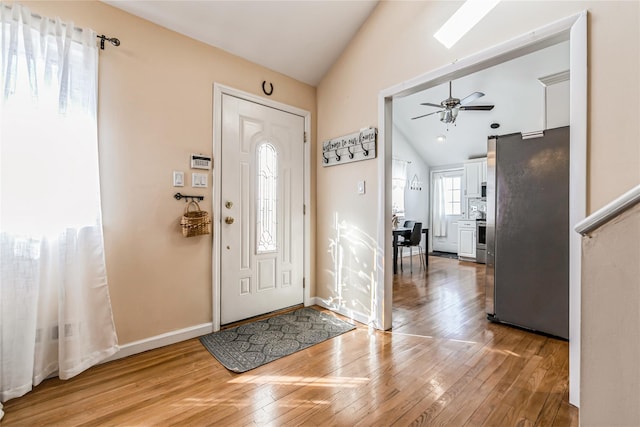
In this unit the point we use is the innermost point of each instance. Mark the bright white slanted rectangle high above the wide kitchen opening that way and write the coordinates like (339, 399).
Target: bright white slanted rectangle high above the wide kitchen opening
(463, 20)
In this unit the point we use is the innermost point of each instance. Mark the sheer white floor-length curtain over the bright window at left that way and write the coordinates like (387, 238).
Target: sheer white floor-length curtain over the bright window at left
(55, 310)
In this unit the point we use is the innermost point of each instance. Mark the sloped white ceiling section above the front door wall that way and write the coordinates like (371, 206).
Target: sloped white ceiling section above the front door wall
(301, 39)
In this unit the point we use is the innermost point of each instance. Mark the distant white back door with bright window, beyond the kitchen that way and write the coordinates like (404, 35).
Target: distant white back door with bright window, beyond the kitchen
(449, 207)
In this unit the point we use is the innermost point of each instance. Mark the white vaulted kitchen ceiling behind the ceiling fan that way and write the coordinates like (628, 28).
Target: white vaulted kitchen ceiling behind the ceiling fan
(513, 87)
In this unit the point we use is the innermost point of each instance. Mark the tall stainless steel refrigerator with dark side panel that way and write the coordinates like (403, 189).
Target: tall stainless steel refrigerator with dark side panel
(527, 270)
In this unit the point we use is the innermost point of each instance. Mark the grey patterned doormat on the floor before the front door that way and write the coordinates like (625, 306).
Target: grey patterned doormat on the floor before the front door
(254, 344)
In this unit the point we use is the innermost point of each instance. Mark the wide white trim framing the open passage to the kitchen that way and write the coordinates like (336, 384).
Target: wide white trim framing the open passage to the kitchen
(573, 29)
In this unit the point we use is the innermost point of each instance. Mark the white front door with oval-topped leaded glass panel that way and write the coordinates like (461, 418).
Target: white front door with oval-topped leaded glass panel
(262, 196)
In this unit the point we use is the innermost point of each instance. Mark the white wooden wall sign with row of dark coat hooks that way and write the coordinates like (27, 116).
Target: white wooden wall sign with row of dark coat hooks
(350, 148)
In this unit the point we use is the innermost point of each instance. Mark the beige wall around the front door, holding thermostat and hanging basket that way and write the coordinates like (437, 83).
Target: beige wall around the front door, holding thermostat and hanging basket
(155, 109)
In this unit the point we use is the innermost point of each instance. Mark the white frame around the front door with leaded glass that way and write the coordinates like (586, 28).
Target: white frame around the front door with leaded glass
(218, 91)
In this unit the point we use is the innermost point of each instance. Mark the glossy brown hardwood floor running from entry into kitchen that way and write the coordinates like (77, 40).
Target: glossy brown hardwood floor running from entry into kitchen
(442, 364)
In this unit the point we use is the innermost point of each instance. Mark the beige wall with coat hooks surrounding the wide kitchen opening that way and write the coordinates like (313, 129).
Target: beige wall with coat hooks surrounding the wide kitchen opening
(396, 44)
